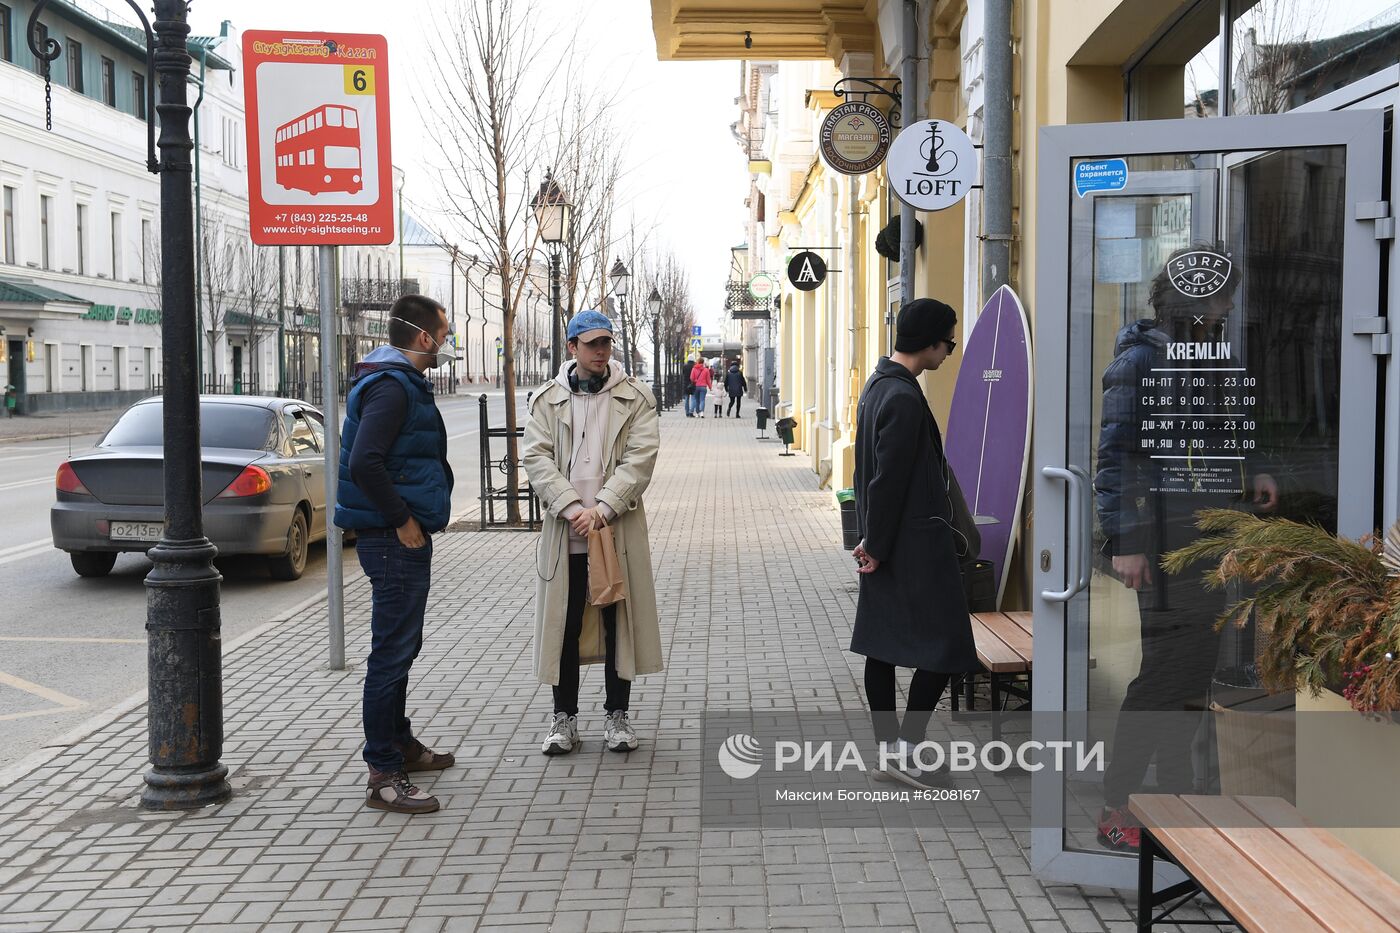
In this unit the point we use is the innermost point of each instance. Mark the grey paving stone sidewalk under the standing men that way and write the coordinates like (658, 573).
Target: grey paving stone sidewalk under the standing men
(757, 602)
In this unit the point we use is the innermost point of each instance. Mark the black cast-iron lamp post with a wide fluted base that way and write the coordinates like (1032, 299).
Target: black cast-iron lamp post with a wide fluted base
(183, 620)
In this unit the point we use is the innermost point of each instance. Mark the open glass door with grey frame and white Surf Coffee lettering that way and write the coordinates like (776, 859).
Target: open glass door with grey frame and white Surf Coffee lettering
(1210, 305)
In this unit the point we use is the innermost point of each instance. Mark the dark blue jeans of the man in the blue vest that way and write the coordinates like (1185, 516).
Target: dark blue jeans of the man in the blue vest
(400, 579)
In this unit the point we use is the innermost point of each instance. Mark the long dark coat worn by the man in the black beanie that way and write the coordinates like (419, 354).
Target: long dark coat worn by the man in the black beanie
(912, 611)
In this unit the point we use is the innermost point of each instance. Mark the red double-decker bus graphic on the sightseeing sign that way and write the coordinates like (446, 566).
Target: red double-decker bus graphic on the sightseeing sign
(320, 151)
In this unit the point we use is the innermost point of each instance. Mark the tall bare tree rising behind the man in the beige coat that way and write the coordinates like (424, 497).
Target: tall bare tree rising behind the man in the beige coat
(493, 76)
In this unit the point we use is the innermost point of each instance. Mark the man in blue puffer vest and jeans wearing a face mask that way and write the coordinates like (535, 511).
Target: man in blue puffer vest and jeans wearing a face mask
(395, 491)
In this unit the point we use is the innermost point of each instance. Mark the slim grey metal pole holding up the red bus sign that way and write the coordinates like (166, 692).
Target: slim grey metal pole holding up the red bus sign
(331, 407)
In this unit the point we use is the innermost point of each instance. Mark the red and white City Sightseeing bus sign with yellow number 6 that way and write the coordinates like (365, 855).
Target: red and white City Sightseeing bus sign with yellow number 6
(318, 139)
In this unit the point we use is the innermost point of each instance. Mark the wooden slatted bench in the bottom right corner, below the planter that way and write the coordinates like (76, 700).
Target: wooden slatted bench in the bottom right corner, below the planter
(1262, 864)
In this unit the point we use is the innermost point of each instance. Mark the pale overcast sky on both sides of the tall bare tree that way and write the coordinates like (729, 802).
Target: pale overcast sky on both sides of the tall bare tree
(687, 170)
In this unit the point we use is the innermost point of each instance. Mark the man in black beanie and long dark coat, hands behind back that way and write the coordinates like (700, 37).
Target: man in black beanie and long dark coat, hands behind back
(912, 610)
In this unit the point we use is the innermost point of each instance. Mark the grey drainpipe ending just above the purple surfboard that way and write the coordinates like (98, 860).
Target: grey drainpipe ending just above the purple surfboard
(996, 251)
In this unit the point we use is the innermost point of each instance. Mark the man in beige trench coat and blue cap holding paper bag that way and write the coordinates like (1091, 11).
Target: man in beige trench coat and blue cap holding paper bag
(590, 450)
